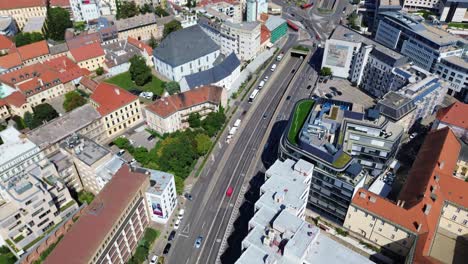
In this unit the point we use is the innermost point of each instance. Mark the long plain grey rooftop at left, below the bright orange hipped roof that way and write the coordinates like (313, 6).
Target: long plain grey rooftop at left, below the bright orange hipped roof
(64, 126)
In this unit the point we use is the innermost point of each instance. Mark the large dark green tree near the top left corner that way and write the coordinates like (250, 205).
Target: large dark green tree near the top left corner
(58, 20)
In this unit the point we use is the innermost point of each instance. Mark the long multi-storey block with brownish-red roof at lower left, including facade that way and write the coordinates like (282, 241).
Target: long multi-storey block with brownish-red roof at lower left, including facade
(121, 213)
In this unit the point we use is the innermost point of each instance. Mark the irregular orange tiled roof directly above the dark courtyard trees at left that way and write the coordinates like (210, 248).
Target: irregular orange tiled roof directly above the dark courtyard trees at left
(66, 68)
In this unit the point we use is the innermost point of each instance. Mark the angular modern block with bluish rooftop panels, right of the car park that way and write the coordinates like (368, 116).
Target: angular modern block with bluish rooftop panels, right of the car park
(418, 99)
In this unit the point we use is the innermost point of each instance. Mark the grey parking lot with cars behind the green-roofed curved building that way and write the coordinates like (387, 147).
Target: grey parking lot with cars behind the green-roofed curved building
(342, 90)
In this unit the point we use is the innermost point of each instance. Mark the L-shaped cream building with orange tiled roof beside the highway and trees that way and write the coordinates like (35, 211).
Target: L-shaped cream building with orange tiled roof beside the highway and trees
(171, 113)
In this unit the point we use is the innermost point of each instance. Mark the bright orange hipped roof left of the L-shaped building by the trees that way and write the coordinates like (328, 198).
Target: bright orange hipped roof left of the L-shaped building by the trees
(110, 97)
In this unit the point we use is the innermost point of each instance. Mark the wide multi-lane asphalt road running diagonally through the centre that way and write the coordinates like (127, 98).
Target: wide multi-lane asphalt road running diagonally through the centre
(208, 213)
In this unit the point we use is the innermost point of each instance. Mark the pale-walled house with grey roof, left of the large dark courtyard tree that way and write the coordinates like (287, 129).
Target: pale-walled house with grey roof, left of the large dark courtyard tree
(118, 55)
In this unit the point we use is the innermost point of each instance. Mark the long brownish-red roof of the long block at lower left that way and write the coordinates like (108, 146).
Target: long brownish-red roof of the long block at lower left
(84, 238)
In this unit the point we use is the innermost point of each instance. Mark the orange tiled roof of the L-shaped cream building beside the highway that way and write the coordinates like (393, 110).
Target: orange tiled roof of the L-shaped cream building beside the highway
(169, 105)
